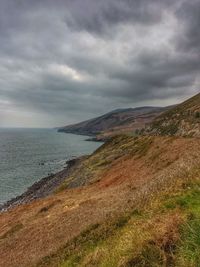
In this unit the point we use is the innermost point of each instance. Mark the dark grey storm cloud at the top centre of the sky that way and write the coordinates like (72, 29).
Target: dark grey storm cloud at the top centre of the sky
(97, 16)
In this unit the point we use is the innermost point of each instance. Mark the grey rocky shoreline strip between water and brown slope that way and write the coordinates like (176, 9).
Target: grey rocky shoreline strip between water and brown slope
(44, 187)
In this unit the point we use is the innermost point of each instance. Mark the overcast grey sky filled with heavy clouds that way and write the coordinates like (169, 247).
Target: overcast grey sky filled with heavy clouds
(65, 61)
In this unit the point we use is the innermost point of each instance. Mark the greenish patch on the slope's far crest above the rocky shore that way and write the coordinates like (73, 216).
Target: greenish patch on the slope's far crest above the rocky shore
(95, 166)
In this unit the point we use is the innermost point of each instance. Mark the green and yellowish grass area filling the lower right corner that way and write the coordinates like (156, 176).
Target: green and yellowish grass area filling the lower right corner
(163, 233)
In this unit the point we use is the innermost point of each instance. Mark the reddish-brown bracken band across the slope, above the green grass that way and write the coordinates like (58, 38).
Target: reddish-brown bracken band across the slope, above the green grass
(143, 167)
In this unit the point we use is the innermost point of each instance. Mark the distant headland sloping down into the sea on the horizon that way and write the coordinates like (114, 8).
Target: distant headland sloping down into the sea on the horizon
(119, 120)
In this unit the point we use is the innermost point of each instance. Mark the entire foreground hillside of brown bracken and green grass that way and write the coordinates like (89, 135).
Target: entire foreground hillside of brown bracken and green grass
(138, 206)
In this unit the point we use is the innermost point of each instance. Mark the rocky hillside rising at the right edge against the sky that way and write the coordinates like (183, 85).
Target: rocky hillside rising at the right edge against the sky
(182, 120)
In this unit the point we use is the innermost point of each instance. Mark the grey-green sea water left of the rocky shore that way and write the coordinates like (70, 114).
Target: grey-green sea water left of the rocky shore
(27, 155)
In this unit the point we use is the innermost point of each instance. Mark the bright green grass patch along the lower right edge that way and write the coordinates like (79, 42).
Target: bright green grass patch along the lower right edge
(188, 250)
